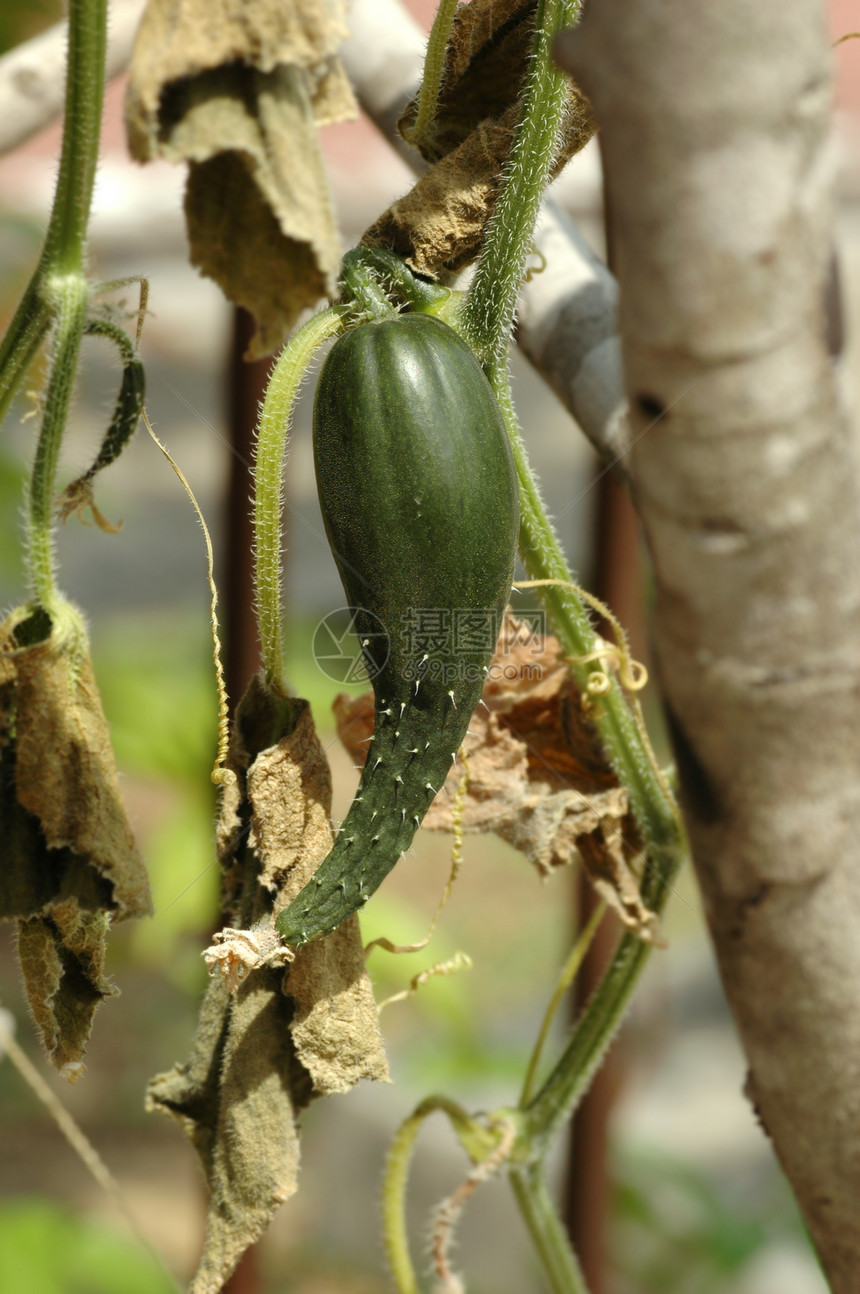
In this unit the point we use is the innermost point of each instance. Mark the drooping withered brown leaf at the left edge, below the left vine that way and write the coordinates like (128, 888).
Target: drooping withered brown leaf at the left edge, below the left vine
(70, 861)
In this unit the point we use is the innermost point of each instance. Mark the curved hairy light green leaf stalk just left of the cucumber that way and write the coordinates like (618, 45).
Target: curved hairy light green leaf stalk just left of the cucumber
(274, 429)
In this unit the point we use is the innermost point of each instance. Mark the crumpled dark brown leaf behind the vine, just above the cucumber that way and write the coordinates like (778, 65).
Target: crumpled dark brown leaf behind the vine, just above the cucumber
(439, 227)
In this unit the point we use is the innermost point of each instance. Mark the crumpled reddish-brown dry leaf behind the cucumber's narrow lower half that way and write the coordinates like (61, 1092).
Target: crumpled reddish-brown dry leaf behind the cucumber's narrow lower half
(537, 776)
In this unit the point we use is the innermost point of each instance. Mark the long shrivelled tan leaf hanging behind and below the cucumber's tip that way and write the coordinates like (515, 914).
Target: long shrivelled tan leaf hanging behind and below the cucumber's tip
(284, 1036)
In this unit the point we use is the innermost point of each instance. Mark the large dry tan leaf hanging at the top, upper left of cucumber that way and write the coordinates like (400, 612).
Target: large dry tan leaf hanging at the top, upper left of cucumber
(239, 93)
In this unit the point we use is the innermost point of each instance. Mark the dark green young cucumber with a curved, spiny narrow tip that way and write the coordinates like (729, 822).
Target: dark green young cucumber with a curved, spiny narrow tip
(420, 498)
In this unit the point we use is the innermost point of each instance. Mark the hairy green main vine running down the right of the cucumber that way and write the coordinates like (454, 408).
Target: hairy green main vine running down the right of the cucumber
(486, 318)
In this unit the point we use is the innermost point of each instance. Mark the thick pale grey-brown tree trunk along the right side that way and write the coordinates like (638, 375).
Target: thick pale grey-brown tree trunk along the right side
(715, 122)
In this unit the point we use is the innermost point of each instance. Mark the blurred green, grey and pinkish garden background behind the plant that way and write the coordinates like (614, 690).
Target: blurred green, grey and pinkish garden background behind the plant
(696, 1201)
